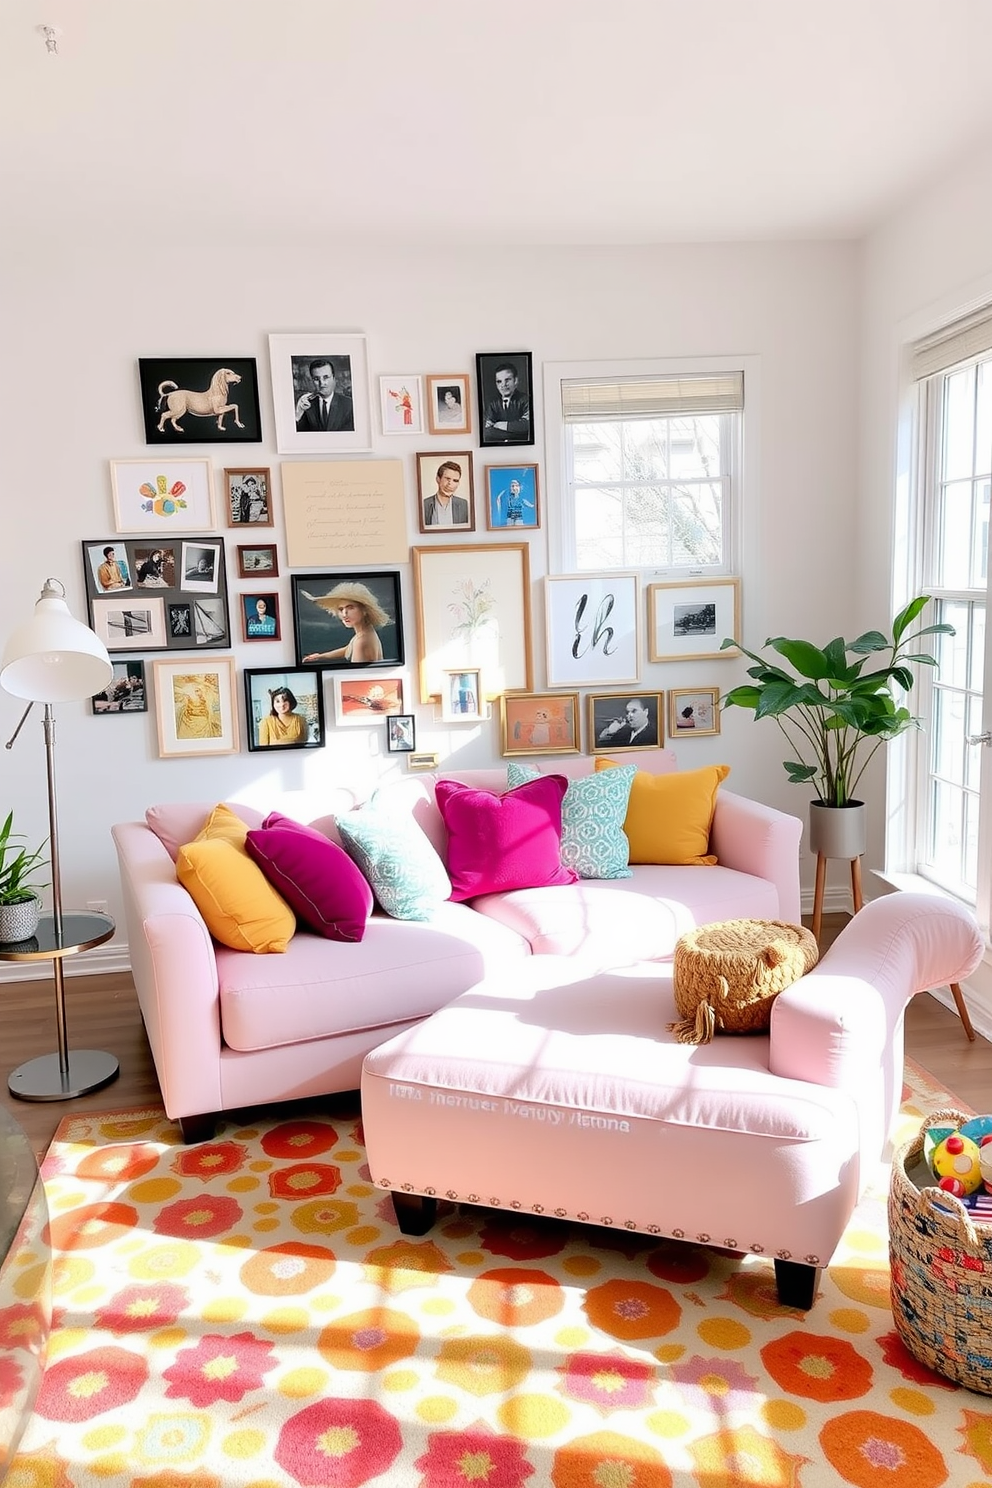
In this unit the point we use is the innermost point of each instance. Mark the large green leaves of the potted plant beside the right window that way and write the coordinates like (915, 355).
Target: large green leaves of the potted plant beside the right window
(834, 713)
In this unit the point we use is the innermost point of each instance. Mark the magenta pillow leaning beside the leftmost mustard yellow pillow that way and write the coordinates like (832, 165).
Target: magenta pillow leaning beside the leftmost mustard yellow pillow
(319, 880)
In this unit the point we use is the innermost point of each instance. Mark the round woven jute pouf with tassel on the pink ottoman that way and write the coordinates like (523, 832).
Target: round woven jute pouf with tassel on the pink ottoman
(728, 975)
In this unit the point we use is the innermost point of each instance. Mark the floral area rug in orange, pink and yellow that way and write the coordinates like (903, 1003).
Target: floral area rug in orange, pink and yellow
(248, 1313)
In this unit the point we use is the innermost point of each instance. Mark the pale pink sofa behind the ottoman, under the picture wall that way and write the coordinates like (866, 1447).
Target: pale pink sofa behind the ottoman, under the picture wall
(230, 1029)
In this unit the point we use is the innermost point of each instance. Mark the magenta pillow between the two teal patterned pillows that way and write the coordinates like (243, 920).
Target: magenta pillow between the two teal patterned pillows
(502, 843)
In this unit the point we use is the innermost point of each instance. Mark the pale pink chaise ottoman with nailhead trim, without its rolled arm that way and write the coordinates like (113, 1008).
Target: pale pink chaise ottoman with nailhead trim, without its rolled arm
(567, 1096)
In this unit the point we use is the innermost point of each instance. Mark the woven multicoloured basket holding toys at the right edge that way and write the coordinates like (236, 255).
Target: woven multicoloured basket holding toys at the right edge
(941, 1271)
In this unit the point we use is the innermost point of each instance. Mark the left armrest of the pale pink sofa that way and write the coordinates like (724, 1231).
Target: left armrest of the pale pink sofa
(175, 974)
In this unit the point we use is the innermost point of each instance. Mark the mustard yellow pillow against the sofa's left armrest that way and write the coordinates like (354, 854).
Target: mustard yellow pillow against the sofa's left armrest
(234, 897)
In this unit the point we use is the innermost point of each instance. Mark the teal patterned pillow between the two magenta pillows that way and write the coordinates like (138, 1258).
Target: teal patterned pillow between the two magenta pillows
(407, 876)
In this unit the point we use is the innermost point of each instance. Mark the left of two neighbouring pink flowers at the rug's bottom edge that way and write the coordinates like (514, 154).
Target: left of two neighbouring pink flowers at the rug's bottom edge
(338, 1444)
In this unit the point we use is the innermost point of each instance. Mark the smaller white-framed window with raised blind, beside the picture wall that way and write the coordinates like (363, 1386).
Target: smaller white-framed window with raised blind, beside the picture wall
(651, 468)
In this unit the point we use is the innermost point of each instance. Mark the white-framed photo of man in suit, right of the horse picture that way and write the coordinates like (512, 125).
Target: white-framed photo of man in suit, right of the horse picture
(321, 391)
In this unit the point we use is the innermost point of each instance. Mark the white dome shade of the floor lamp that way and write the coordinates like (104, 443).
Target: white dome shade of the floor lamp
(53, 657)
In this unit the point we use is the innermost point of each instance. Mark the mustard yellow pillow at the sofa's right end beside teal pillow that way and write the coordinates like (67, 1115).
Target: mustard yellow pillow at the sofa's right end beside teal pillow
(670, 816)
